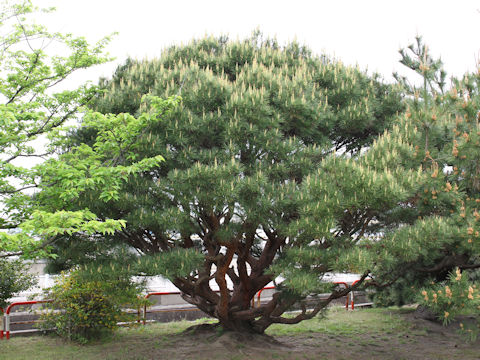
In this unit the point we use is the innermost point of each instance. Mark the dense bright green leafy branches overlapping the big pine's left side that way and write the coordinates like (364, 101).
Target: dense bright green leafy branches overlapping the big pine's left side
(82, 168)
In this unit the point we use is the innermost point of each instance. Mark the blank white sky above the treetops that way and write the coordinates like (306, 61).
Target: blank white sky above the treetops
(369, 33)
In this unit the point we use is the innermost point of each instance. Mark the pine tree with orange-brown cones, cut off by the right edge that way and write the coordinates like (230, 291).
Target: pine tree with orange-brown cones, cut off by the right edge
(434, 245)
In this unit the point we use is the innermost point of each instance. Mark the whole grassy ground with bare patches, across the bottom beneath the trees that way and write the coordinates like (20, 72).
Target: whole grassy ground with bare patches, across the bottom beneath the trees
(359, 334)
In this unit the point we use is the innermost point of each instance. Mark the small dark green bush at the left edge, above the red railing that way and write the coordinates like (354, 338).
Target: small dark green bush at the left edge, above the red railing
(14, 279)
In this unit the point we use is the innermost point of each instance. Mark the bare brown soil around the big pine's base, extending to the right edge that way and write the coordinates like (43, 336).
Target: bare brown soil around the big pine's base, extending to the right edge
(425, 340)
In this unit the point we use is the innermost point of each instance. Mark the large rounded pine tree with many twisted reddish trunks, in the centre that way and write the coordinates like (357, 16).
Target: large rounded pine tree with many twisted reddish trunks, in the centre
(248, 189)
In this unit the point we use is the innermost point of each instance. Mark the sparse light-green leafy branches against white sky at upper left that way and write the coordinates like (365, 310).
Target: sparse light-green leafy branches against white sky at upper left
(30, 107)
